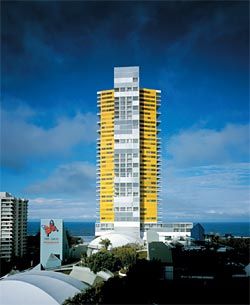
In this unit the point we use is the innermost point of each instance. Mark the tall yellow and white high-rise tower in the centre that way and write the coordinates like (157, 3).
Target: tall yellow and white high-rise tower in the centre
(128, 155)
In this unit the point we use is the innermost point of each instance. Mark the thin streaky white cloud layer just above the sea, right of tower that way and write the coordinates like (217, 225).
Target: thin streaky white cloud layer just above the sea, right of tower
(210, 193)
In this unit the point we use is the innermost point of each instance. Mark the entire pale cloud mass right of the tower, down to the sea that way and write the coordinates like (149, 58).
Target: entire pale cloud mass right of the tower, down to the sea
(207, 176)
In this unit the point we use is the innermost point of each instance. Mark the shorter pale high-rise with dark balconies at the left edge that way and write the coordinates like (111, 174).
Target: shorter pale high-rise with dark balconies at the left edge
(13, 226)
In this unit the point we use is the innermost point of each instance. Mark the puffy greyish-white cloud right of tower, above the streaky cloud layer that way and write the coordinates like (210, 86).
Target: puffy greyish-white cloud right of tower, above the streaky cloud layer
(208, 146)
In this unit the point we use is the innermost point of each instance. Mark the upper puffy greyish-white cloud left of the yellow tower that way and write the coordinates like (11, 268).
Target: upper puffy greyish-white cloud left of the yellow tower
(21, 138)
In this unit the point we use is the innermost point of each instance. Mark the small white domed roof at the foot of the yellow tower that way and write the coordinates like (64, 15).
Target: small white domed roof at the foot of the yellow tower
(117, 240)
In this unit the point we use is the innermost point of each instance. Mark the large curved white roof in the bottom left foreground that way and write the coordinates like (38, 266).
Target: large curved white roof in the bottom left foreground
(38, 288)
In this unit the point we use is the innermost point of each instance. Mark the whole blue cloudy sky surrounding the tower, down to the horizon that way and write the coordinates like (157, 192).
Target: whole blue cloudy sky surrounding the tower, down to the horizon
(56, 55)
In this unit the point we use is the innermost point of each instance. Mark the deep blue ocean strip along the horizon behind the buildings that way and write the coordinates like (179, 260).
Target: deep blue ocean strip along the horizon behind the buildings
(87, 229)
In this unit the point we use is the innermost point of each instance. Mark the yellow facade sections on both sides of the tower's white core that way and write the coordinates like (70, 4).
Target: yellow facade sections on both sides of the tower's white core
(148, 155)
